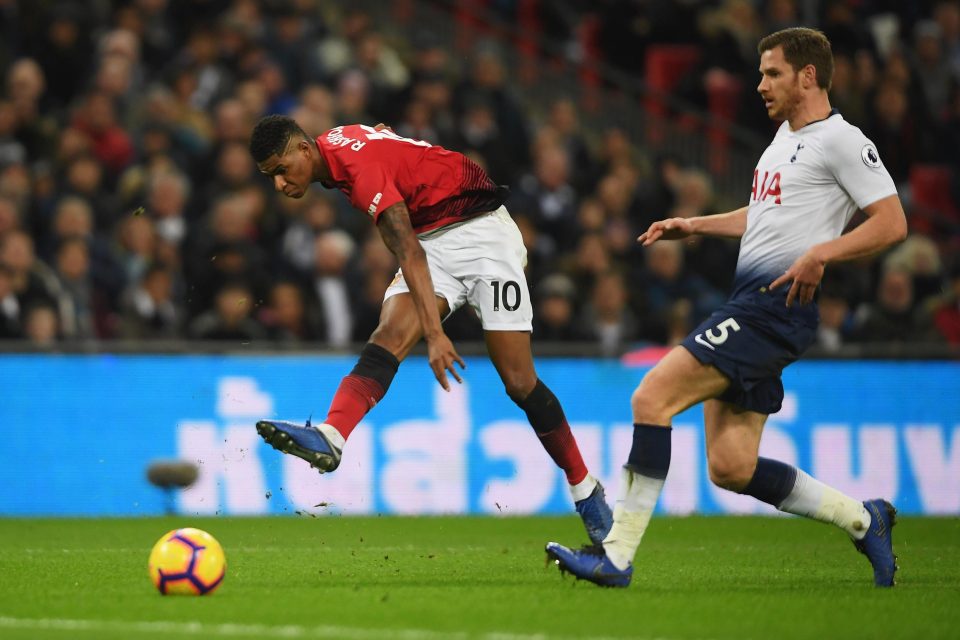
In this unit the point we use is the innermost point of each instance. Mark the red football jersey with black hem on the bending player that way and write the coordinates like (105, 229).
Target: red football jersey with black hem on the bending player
(377, 169)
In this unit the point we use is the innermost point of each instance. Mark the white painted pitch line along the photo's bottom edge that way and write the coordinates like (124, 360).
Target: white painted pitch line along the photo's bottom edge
(230, 630)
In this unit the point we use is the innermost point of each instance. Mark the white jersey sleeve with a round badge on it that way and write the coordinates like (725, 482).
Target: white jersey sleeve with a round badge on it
(855, 163)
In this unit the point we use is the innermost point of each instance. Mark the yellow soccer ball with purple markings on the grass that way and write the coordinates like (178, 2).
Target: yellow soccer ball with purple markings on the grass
(187, 562)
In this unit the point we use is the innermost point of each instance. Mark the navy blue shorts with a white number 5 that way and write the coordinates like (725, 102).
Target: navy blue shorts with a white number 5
(750, 340)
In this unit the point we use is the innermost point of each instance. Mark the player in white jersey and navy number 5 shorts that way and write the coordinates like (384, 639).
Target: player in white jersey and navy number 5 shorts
(816, 173)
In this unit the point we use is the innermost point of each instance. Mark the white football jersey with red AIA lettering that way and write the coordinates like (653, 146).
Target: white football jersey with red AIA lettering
(806, 187)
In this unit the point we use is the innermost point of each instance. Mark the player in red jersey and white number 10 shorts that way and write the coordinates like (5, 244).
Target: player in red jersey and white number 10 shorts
(443, 218)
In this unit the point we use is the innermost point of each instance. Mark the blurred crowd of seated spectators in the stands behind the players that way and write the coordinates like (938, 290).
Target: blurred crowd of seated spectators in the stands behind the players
(131, 209)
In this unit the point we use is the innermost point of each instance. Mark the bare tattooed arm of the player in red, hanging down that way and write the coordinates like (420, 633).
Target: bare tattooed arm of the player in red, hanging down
(397, 233)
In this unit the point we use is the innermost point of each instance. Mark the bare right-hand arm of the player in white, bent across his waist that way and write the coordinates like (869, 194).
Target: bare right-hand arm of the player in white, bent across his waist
(886, 225)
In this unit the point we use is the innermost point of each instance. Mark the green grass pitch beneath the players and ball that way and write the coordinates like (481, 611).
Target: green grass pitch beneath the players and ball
(434, 578)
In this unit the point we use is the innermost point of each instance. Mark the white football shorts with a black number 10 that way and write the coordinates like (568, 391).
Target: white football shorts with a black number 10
(479, 262)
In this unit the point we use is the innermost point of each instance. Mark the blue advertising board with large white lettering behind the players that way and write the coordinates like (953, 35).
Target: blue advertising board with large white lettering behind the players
(80, 430)
